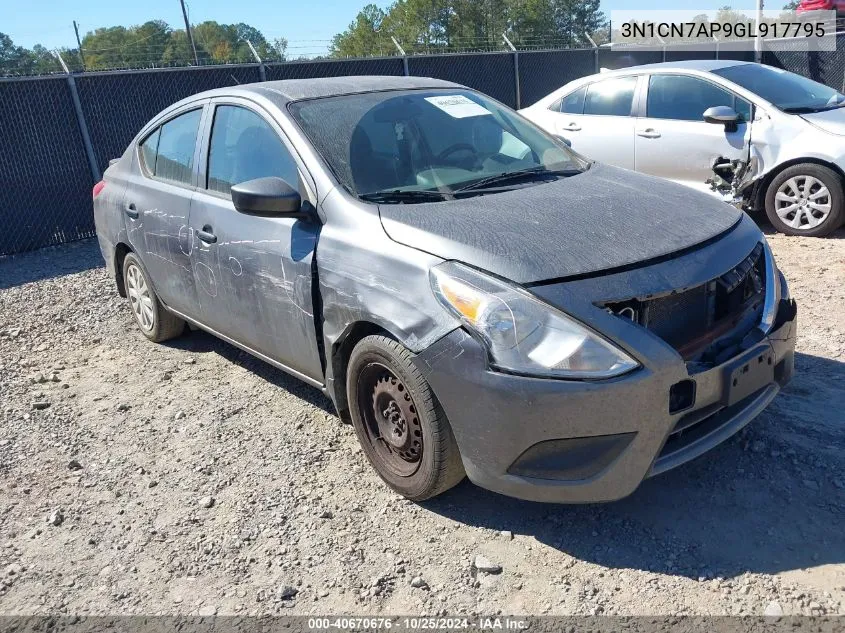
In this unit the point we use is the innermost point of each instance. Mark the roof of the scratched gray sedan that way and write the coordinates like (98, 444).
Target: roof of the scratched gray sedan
(288, 90)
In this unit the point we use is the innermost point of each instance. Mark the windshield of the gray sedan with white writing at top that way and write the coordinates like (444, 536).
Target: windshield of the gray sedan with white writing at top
(430, 145)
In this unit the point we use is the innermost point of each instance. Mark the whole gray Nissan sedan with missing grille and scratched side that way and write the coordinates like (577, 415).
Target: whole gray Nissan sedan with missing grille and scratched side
(475, 298)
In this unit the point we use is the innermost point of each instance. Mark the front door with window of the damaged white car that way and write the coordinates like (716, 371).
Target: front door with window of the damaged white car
(672, 139)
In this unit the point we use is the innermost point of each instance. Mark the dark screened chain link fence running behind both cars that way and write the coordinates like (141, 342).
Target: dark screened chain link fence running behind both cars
(59, 132)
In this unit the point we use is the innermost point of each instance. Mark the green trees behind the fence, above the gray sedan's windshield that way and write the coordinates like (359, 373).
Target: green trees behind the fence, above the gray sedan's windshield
(452, 25)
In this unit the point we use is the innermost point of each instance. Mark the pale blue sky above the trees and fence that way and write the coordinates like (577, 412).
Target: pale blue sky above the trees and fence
(307, 25)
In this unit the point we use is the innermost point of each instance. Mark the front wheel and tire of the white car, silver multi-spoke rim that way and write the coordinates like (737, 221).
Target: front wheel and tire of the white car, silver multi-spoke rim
(788, 203)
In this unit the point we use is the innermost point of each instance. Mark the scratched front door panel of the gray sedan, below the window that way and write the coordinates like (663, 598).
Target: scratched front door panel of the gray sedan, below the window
(254, 282)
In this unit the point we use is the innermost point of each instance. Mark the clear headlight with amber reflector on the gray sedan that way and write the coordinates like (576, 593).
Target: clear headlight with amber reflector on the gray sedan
(523, 334)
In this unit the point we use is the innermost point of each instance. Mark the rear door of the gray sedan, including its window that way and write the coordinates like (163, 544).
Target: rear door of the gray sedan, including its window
(157, 206)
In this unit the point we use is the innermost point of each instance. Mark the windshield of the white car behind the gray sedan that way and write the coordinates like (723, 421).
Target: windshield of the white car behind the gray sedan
(786, 90)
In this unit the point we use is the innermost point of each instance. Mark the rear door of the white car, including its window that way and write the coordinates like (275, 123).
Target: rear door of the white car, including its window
(598, 120)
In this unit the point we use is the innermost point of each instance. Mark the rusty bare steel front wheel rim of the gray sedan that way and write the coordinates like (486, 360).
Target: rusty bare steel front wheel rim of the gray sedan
(390, 419)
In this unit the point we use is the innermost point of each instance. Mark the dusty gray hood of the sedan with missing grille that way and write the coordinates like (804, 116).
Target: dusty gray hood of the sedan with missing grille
(602, 219)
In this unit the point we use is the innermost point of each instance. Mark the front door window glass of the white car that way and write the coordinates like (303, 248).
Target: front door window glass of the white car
(686, 98)
